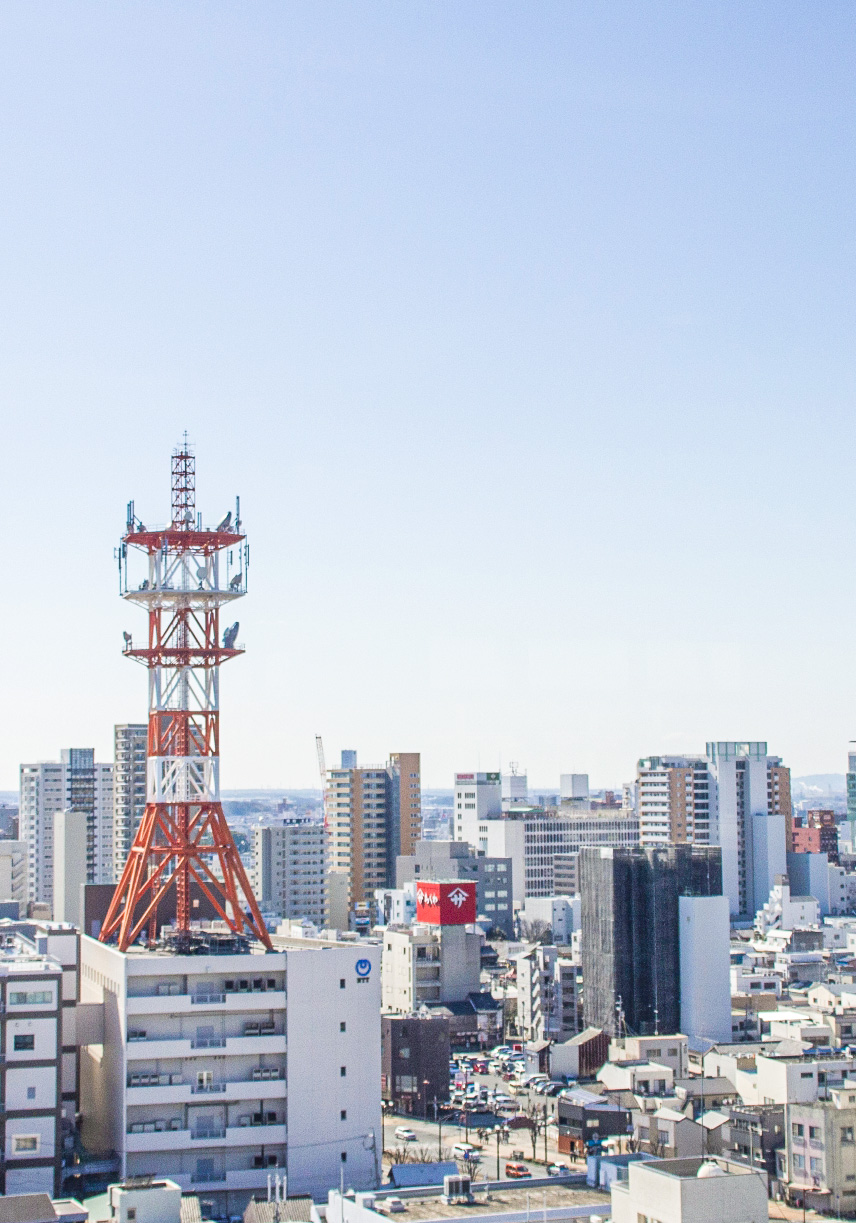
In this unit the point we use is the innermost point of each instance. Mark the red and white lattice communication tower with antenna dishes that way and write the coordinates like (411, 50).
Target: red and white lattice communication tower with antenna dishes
(184, 840)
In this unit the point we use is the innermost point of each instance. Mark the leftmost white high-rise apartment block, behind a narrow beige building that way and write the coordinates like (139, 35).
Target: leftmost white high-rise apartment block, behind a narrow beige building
(75, 783)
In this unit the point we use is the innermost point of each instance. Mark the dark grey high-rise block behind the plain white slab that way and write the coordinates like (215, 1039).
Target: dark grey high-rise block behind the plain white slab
(630, 931)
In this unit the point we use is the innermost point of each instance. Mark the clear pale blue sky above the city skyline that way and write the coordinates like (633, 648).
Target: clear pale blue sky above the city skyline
(525, 332)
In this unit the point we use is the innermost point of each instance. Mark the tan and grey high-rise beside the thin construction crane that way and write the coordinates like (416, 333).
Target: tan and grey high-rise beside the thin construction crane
(374, 814)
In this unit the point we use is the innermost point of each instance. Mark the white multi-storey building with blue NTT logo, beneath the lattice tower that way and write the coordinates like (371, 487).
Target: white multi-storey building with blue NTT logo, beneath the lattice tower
(189, 1077)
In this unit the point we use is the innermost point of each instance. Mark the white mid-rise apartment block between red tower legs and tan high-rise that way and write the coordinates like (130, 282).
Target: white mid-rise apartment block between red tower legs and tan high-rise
(289, 869)
